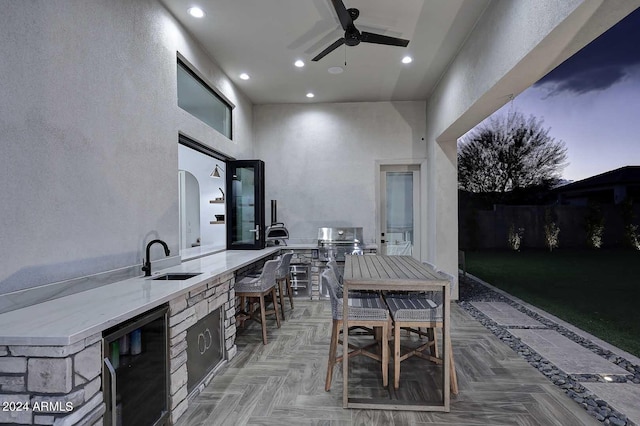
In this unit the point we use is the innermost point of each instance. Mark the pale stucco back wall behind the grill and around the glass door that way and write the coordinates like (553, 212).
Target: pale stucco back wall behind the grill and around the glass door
(321, 159)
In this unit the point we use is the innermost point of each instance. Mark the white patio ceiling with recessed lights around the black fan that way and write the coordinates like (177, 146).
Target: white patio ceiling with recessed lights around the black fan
(264, 37)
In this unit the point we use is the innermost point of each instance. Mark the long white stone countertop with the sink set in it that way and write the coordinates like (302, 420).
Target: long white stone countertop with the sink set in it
(69, 319)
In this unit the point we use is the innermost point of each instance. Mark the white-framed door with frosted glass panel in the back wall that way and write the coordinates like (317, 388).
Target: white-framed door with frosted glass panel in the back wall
(400, 210)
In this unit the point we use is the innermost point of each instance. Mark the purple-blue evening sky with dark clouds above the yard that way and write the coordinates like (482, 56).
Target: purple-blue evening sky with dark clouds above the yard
(592, 102)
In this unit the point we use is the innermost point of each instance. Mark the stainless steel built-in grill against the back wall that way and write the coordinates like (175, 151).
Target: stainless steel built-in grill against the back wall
(335, 243)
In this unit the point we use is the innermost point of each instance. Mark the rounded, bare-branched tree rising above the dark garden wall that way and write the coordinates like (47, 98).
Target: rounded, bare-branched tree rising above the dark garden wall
(507, 153)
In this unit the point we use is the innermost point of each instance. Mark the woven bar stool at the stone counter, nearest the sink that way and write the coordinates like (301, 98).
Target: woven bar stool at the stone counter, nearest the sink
(250, 289)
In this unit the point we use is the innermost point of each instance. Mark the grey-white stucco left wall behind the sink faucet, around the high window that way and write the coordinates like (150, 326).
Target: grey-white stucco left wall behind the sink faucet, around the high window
(89, 128)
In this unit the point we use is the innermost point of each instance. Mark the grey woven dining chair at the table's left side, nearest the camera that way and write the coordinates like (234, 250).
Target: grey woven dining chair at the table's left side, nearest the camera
(363, 312)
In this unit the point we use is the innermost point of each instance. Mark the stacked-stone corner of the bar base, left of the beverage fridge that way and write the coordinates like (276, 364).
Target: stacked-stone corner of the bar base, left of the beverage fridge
(60, 384)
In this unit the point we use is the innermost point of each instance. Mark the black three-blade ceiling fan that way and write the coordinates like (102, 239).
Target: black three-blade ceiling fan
(353, 37)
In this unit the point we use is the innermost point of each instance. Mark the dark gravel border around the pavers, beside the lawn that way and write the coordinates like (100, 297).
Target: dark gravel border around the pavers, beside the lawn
(475, 291)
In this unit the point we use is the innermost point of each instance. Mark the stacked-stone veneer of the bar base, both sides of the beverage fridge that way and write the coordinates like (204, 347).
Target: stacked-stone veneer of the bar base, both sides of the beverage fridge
(67, 380)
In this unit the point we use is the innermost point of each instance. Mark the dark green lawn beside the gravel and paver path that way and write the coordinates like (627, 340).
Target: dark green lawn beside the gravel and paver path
(595, 290)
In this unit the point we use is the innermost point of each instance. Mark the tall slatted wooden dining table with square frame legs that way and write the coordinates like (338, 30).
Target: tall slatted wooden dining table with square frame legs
(394, 273)
